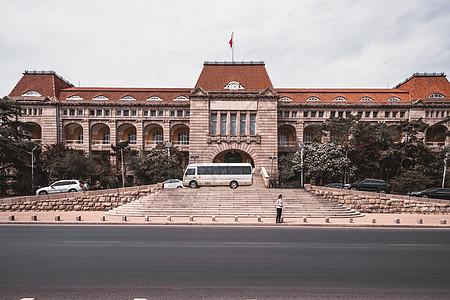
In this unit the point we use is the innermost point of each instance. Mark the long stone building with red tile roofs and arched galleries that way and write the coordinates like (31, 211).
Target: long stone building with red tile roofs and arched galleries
(233, 113)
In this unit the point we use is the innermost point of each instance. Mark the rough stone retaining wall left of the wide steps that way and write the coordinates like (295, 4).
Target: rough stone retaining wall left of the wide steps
(99, 200)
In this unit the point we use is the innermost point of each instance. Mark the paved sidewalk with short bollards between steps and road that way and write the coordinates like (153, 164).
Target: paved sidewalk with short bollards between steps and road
(100, 218)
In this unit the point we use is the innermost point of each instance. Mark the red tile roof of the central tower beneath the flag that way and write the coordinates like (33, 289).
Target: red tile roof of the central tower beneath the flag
(216, 75)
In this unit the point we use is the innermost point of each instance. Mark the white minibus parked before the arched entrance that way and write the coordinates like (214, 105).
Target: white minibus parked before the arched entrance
(232, 174)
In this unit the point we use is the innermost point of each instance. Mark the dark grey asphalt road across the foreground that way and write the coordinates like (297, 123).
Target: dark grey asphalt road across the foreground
(165, 262)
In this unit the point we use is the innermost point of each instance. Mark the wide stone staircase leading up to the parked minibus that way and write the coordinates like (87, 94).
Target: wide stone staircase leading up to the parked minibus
(245, 201)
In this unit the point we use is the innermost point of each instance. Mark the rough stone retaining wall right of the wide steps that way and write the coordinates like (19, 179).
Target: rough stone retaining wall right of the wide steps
(367, 202)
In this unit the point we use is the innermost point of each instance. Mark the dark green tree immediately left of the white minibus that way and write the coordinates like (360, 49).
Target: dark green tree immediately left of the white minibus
(156, 165)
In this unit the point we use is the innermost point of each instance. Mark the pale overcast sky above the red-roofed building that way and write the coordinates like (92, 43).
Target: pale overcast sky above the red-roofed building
(163, 44)
